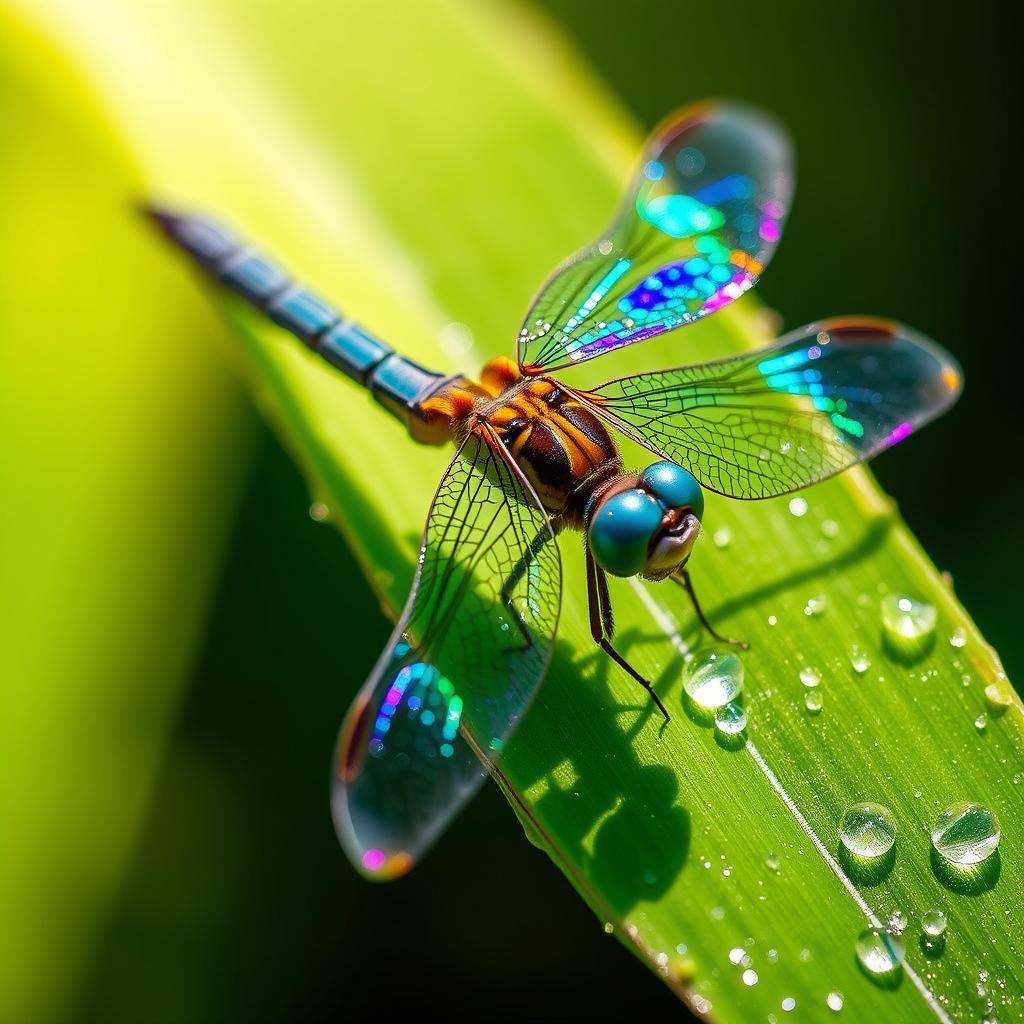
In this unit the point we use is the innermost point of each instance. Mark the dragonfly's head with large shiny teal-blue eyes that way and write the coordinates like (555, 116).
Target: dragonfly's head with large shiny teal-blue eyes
(647, 526)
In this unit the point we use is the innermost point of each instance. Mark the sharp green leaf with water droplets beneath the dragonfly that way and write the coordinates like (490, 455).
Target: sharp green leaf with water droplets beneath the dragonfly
(425, 165)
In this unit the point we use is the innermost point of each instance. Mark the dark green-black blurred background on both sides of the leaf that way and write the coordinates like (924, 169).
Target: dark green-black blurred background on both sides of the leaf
(240, 904)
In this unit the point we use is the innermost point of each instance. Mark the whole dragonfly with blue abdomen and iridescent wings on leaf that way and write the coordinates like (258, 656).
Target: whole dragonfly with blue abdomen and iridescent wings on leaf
(536, 458)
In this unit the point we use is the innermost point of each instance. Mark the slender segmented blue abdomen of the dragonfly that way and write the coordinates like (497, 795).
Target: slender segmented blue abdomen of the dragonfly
(400, 385)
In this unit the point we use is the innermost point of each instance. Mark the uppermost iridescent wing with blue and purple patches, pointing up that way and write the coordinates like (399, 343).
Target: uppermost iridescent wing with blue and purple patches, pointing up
(700, 223)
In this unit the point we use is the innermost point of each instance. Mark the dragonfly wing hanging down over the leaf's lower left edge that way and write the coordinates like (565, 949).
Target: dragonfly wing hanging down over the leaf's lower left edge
(461, 668)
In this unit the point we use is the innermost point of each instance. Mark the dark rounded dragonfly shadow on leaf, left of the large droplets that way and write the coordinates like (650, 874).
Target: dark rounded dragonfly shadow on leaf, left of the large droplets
(605, 829)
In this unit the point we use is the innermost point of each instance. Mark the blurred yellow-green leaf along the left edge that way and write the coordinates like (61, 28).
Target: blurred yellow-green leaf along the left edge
(116, 501)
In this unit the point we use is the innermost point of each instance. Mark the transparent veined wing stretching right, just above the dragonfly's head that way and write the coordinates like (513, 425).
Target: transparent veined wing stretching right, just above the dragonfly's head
(773, 421)
